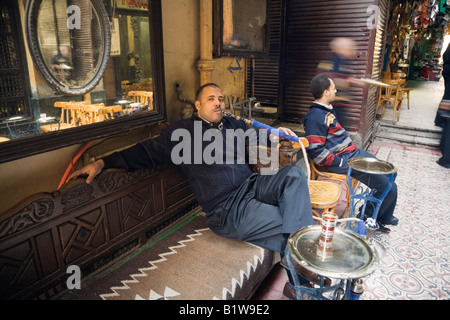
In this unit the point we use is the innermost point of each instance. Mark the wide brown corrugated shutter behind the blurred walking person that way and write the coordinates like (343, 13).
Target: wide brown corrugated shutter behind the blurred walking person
(310, 26)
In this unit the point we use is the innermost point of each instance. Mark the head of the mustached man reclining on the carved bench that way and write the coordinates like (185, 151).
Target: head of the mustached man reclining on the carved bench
(211, 104)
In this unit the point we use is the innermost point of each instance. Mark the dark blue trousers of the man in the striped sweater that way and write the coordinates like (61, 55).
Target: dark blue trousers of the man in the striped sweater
(379, 182)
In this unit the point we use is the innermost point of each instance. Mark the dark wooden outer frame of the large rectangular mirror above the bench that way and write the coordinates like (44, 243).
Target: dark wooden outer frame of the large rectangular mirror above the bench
(37, 144)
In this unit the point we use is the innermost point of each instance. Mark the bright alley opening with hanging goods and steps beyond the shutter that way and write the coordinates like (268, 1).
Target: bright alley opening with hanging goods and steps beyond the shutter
(417, 36)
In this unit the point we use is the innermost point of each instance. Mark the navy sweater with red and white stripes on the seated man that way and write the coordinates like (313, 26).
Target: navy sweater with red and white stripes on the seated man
(327, 139)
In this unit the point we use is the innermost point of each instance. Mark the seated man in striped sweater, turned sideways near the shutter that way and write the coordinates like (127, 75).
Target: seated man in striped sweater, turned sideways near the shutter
(331, 147)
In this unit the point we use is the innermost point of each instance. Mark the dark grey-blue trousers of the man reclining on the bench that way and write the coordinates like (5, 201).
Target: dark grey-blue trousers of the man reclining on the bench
(265, 210)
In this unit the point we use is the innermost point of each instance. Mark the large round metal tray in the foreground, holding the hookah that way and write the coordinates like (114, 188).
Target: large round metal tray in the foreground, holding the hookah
(352, 255)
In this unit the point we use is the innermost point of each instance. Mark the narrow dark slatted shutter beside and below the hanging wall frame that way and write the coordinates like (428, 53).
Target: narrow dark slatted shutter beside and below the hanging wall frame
(263, 73)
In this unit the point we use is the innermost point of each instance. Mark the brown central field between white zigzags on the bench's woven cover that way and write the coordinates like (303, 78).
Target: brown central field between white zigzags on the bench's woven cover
(168, 276)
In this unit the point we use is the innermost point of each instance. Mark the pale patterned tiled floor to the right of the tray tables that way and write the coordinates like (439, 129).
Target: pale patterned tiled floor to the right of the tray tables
(417, 260)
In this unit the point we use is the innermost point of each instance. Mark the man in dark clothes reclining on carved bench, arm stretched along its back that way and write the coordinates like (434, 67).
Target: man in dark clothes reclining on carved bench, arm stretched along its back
(239, 203)
